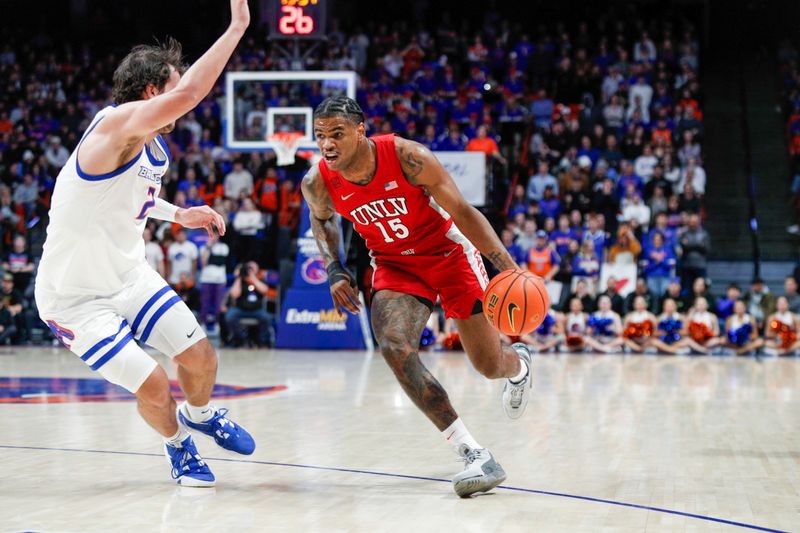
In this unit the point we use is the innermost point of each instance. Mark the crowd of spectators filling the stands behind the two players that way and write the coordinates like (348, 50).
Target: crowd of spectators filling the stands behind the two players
(593, 136)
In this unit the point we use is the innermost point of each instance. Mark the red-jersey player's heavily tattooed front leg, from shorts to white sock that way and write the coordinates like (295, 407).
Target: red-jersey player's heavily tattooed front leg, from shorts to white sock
(398, 320)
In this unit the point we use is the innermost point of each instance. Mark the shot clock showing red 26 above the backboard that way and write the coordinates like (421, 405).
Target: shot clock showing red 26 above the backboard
(297, 19)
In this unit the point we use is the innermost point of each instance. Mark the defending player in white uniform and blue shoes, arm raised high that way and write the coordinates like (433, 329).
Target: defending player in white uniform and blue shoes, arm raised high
(94, 288)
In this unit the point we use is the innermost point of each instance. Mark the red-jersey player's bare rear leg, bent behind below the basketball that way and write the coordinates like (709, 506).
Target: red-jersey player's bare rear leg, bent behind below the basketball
(482, 344)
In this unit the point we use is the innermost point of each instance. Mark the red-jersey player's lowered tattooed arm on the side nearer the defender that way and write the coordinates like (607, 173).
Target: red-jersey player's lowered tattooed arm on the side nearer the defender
(324, 223)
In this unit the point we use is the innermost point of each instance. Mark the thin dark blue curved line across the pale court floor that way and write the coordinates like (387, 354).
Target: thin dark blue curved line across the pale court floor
(419, 478)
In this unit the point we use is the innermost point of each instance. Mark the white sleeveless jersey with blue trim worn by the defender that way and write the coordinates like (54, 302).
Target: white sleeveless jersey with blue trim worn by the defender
(96, 222)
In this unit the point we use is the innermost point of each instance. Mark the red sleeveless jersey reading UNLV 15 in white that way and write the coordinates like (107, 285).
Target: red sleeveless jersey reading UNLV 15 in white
(394, 217)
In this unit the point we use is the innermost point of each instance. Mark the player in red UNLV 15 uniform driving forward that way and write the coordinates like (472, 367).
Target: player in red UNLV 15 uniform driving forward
(411, 214)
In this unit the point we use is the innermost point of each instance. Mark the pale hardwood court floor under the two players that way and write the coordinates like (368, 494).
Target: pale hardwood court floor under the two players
(689, 444)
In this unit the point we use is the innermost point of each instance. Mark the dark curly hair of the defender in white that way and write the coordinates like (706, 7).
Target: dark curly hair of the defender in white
(146, 64)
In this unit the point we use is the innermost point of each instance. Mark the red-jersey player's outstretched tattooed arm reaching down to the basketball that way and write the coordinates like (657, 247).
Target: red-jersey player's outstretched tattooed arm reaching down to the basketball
(421, 168)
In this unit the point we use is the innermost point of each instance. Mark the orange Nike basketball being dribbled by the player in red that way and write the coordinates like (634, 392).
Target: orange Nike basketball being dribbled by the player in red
(516, 302)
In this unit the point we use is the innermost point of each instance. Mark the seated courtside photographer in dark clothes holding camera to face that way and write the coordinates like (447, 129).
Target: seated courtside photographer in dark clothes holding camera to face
(247, 298)
